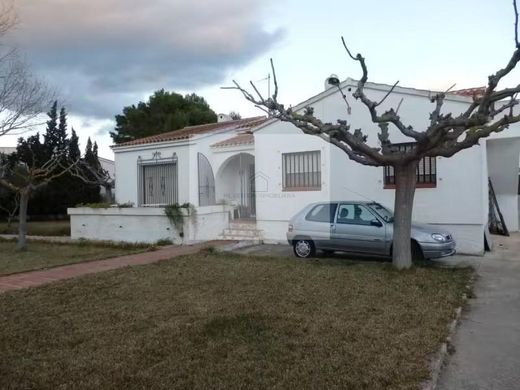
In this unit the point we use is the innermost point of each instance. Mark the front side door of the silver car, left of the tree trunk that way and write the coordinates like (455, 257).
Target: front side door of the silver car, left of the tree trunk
(357, 229)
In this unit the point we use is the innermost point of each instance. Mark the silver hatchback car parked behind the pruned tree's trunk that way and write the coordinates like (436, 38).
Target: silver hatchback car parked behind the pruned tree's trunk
(360, 227)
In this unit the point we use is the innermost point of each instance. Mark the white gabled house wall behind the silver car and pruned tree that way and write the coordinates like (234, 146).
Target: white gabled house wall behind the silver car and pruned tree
(459, 201)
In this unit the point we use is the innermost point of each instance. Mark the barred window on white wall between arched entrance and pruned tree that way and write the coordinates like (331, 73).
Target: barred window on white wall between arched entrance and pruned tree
(301, 171)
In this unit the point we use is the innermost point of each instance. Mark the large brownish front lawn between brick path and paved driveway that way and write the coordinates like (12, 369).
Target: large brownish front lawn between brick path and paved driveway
(211, 321)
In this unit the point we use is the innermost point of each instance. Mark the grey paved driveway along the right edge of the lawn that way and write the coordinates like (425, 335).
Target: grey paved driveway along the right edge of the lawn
(487, 342)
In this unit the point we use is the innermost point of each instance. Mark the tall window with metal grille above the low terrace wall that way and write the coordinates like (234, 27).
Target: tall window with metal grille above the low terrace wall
(157, 181)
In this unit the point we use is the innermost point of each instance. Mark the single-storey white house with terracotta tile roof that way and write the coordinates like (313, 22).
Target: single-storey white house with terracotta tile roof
(263, 171)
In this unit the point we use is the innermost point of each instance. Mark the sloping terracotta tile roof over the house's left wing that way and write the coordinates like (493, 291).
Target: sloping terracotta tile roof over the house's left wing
(191, 131)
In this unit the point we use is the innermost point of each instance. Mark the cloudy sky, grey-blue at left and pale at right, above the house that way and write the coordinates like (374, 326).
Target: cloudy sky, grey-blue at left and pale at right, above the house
(101, 55)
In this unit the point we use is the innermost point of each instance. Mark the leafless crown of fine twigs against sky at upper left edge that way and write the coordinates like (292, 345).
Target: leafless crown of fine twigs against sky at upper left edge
(22, 96)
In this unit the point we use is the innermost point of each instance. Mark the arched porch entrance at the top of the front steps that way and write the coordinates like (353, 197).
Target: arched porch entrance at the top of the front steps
(235, 184)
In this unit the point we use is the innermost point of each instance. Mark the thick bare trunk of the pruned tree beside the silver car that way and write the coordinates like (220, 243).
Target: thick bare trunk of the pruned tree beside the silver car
(405, 180)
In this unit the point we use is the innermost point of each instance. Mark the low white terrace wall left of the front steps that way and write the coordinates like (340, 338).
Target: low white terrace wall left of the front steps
(146, 224)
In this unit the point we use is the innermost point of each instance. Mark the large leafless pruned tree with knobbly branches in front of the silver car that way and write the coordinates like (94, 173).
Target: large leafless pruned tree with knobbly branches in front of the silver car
(445, 135)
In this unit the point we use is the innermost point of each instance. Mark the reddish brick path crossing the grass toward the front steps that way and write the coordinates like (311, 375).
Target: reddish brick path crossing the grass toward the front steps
(38, 278)
